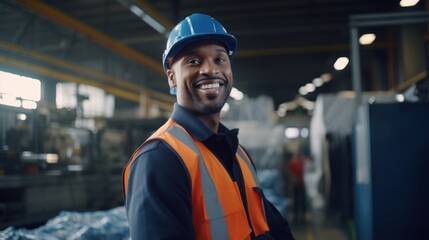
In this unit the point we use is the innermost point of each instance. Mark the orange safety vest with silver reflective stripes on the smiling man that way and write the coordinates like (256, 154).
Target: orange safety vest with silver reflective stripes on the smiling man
(217, 209)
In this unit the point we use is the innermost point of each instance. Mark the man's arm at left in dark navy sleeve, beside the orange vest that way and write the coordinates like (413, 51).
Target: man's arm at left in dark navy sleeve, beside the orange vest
(158, 201)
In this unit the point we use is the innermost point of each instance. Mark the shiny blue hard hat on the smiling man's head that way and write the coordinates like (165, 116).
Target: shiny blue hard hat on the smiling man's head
(194, 28)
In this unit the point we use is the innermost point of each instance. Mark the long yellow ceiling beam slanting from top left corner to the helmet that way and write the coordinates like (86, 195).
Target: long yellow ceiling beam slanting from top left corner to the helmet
(55, 15)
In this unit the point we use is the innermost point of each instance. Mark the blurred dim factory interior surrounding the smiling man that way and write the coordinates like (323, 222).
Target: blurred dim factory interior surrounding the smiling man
(341, 84)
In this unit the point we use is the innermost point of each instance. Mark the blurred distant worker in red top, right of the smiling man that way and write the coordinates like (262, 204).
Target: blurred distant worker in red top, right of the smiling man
(296, 171)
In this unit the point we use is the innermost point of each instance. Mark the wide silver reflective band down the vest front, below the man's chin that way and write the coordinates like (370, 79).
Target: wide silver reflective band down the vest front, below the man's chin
(218, 228)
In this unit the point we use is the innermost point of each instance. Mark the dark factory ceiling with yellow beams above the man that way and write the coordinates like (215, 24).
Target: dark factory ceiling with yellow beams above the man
(283, 45)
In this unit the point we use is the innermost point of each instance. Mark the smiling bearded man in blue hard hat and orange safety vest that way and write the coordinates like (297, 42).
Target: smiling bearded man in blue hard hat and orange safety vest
(191, 179)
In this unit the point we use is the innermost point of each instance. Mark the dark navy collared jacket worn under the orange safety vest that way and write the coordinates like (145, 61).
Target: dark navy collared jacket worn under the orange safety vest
(158, 201)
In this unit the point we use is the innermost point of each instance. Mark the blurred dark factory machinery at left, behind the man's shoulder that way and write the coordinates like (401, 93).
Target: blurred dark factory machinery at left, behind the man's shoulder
(48, 165)
